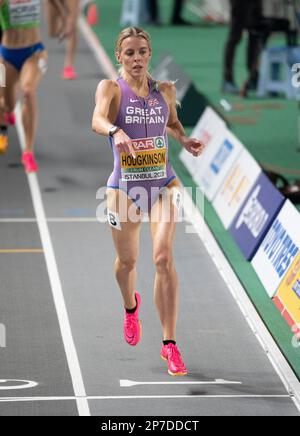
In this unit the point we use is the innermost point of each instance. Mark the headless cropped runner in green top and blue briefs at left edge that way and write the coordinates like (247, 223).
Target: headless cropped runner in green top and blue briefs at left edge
(25, 61)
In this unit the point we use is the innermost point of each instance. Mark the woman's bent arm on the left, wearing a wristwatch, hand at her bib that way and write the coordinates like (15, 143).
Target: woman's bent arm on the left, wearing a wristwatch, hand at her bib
(105, 96)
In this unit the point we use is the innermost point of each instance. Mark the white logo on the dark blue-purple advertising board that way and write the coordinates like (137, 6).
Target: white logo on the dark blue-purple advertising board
(254, 216)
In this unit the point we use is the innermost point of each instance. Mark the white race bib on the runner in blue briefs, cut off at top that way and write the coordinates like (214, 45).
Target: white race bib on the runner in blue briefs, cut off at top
(24, 12)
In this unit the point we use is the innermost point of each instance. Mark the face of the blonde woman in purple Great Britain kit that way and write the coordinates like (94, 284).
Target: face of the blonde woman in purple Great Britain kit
(135, 56)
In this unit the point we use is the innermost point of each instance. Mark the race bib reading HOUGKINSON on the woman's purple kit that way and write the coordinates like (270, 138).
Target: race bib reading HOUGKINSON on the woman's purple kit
(150, 162)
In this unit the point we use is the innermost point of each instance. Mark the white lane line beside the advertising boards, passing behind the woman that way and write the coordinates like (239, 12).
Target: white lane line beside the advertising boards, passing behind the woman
(278, 361)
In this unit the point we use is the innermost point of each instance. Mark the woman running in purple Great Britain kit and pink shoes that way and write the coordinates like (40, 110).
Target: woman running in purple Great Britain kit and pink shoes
(135, 112)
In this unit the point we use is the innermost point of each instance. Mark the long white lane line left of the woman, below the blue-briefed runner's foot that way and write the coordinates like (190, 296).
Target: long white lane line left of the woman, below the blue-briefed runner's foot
(63, 318)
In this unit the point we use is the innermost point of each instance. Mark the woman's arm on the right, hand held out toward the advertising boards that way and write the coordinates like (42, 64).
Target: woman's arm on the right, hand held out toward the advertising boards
(175, 128)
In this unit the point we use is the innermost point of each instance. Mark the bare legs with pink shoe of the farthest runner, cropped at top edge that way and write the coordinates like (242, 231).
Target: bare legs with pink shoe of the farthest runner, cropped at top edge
(54, 25)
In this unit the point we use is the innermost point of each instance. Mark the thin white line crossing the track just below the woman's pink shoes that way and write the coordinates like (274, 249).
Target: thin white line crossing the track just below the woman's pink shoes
(141, 397)
